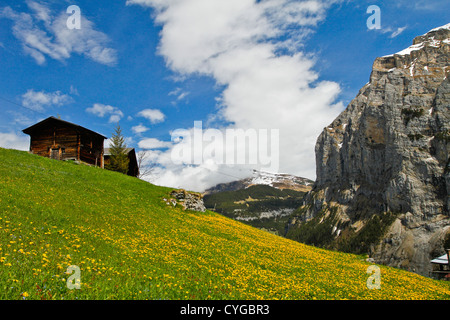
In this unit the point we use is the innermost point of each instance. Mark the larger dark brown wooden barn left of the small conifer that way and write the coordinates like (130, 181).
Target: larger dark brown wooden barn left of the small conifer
(61, 140)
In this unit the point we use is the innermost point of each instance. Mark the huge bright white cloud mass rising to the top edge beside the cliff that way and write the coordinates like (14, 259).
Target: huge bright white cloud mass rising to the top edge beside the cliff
(253, 49)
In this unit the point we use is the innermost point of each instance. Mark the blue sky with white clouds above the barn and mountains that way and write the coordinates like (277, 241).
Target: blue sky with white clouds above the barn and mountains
(156, 66)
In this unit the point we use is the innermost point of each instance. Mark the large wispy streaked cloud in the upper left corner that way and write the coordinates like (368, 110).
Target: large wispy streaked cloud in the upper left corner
(44, 35)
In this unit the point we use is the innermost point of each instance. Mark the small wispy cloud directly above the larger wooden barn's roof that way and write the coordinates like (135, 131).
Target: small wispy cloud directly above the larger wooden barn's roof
(37, 100)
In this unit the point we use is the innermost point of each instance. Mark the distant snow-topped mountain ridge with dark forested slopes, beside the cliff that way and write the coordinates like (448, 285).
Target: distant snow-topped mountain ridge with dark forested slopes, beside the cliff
(264, 200)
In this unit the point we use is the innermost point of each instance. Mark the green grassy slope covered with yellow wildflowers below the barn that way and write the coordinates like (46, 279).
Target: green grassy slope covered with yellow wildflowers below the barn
(130, 245)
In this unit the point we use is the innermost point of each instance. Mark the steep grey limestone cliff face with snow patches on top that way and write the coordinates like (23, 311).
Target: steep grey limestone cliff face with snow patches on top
(387, 155)
